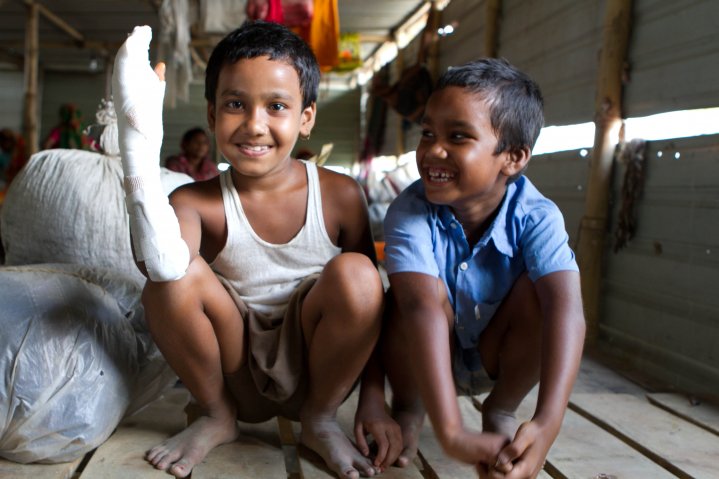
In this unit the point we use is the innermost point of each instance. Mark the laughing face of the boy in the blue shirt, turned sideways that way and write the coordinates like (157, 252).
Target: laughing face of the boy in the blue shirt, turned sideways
(455, 156)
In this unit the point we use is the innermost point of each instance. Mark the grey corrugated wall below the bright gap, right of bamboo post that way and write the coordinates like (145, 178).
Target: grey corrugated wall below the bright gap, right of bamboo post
(661, 308)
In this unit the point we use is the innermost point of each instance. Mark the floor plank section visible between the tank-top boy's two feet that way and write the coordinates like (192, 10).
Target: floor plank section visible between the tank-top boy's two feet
(257, 453)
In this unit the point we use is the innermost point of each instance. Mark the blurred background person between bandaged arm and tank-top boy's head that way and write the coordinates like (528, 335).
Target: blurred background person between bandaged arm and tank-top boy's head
(194, 159)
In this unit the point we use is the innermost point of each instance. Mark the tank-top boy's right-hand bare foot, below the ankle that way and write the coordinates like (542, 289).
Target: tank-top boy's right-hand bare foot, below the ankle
(325, 437)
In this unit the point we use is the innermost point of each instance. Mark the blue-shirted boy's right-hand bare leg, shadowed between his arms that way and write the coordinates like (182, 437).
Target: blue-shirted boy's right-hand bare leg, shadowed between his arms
(510, 348)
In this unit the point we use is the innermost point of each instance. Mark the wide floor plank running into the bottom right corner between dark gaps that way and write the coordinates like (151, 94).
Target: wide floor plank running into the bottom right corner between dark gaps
(679, 446)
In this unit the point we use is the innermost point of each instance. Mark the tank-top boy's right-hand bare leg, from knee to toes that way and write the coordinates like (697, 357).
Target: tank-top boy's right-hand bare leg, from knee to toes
(341, 320)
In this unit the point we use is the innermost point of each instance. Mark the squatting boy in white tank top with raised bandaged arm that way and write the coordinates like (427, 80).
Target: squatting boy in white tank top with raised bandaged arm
(255, 273)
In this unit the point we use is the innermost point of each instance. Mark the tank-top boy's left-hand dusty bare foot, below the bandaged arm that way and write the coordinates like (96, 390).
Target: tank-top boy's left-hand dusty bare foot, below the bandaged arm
(180, 453)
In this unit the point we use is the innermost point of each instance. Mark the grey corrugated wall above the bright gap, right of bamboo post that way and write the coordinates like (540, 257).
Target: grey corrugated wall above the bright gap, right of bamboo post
(673, 56)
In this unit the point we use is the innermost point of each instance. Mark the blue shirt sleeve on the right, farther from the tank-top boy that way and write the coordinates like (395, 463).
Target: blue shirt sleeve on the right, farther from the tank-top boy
(545, 243)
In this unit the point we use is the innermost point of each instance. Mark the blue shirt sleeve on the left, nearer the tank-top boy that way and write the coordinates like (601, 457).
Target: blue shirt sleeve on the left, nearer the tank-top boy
(409, 236)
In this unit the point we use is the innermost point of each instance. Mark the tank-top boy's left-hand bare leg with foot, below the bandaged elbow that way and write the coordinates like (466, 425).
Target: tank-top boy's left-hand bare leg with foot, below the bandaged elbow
(200, 332)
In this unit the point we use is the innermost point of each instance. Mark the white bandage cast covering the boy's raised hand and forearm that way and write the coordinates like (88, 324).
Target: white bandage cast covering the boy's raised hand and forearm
(138, 95)
